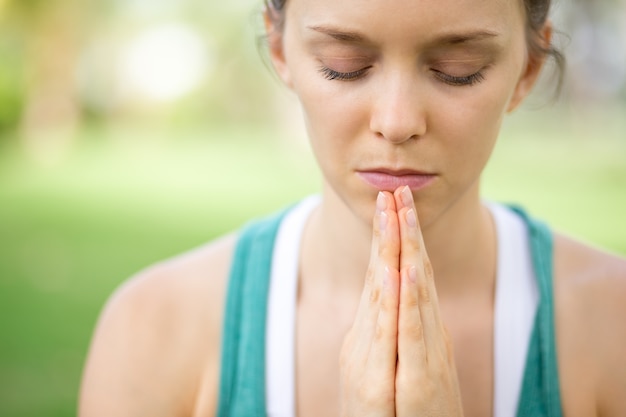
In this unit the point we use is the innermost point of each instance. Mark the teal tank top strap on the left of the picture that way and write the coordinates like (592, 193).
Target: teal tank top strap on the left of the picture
(242, 373)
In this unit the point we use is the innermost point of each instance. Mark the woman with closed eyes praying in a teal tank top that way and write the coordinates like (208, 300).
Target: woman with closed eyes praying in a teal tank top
(403, 102)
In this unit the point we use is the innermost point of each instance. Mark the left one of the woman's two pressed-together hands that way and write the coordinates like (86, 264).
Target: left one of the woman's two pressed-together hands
(369, 353)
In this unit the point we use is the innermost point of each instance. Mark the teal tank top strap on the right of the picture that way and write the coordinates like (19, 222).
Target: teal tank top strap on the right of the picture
(540, 395)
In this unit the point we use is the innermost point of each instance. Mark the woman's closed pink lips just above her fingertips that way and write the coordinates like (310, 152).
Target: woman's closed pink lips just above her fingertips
(389, 180)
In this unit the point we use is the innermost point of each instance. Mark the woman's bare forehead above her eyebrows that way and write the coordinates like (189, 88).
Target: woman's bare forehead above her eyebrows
(399, 20)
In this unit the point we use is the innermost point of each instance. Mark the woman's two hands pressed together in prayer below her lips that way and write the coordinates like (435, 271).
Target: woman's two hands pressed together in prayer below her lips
(398, 341)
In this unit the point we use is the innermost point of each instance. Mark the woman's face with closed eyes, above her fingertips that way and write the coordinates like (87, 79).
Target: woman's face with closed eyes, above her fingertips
(404, 92)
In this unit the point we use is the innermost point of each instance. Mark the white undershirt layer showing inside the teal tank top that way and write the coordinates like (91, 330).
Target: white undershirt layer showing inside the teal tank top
(516, 302)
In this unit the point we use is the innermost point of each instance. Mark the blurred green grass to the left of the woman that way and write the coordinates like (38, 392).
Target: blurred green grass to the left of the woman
(71, 231)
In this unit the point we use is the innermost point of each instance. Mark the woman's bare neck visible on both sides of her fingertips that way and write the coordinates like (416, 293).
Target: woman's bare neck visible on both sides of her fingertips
(460, 241)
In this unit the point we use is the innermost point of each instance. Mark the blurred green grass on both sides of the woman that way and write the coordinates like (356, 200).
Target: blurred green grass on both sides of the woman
(74, 229)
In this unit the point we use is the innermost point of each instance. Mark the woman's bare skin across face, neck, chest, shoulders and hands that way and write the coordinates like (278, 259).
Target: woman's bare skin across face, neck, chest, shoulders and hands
(409, 300)
